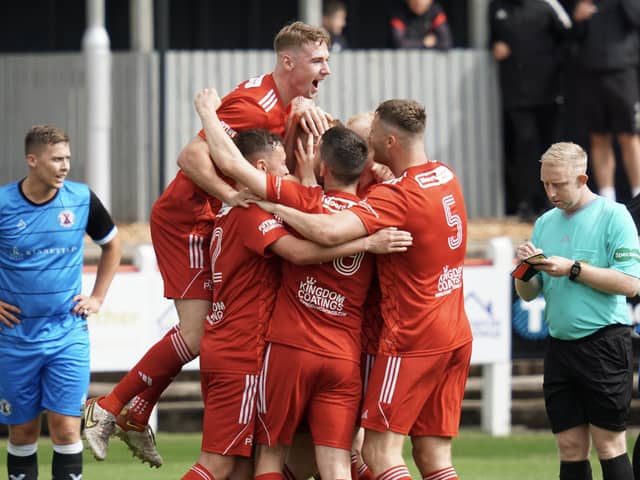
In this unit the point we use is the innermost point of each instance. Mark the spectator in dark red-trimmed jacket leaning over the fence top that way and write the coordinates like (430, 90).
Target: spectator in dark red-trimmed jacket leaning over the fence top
(420, 24)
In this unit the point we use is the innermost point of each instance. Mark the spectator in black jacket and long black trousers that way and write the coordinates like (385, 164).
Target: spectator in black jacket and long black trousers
(527, 39)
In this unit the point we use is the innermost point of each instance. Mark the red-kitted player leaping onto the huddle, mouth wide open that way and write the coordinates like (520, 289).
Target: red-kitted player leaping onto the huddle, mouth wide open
(181, 226)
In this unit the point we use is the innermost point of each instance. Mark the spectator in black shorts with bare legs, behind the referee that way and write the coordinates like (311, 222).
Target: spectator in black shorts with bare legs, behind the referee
(607, 40)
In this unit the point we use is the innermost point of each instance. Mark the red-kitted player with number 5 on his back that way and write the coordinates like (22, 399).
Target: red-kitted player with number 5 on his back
(417, 382)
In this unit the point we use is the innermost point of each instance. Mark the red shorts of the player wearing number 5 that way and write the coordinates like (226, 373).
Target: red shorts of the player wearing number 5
(417, 395)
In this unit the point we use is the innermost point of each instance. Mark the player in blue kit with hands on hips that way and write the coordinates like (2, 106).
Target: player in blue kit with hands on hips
(44, 339)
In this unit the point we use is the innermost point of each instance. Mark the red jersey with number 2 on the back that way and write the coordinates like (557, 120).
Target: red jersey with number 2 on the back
(245, 281)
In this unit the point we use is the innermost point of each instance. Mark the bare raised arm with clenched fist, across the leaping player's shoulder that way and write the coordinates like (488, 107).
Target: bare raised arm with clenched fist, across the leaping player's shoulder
(223, 151)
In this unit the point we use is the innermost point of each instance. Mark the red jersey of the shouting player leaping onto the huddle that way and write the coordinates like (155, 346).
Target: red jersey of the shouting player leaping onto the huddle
(255, 103)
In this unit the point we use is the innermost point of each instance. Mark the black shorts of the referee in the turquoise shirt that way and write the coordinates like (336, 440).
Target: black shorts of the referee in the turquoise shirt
(589, 381)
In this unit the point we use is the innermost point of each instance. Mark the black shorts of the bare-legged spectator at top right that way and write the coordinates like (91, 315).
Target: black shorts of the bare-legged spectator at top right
(610, 101)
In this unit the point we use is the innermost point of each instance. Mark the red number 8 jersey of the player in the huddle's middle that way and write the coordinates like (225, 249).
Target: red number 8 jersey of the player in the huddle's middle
(320, 307)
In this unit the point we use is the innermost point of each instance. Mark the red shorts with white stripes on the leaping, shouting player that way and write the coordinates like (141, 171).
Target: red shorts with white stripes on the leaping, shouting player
(182, 253)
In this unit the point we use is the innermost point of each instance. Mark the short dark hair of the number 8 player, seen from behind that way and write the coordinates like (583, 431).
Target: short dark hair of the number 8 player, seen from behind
(344, 153)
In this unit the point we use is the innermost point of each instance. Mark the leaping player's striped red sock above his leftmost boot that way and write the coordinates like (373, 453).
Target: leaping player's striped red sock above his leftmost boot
(156, 368)
